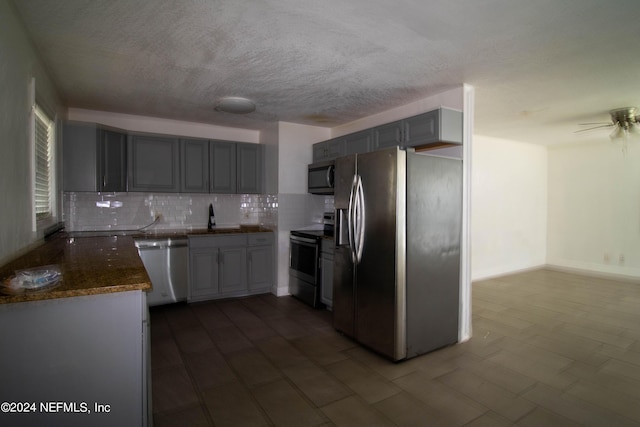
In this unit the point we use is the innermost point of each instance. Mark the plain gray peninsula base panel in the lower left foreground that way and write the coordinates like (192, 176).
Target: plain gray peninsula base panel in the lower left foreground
(79, 351)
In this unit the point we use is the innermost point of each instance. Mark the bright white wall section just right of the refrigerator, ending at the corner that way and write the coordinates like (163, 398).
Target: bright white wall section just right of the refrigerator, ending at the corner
(509, 200)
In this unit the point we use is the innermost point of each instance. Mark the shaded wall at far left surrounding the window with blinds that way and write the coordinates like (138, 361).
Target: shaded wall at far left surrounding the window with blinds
(18, 65)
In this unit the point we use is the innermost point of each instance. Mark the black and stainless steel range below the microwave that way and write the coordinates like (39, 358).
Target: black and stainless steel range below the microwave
(304, 261)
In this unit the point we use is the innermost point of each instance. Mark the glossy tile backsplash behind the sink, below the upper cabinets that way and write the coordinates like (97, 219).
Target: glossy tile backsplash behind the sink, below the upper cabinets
(126, 211)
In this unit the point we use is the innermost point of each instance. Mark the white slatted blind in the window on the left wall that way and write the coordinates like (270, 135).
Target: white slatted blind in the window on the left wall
(43, 147)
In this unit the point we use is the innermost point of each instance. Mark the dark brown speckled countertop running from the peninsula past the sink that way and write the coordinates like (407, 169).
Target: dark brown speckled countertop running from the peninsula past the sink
(96, 262)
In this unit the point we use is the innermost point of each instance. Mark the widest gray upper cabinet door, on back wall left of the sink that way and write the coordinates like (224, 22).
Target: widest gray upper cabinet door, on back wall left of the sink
(154, 164)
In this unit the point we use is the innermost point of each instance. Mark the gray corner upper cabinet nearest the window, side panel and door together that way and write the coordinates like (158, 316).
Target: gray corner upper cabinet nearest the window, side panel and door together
(94, 159)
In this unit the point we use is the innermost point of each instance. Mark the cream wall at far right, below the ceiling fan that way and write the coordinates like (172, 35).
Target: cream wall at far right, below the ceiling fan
(594, 207)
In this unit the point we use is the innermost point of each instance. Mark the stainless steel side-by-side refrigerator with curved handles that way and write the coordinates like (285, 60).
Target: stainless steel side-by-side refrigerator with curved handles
(397, 256)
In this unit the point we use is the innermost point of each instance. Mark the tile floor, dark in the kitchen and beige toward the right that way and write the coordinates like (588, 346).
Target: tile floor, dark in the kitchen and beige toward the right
(548, 349)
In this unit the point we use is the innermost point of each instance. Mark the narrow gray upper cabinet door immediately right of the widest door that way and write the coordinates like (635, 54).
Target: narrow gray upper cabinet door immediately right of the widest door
(194, 170)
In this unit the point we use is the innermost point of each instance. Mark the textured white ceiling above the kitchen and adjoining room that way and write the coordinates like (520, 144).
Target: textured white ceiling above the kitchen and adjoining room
(538, 67)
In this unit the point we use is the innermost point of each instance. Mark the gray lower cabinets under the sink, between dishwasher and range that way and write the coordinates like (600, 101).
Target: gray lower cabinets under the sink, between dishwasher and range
(230, 265)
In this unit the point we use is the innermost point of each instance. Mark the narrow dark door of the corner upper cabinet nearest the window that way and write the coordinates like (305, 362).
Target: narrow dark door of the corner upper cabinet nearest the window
(113, 161)
